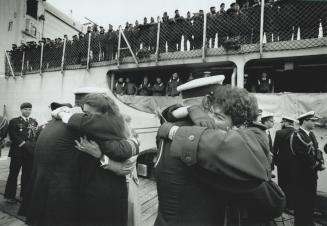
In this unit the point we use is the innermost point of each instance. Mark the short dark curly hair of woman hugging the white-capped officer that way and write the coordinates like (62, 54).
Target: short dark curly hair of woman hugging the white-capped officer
(237, 103)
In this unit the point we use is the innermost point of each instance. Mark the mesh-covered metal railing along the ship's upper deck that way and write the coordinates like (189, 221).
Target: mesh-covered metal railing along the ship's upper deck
(283, 25)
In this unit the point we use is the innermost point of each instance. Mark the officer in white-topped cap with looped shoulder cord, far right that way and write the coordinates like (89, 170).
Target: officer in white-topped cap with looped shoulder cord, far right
(304, 147)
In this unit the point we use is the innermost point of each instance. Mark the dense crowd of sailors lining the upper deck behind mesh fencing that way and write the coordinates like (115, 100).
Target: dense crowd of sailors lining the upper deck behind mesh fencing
(240, 24)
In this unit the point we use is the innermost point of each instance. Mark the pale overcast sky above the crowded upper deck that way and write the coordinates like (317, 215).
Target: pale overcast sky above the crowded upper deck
(118, 12)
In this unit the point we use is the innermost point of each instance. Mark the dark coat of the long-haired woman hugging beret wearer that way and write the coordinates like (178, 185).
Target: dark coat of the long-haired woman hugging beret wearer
(103, 194)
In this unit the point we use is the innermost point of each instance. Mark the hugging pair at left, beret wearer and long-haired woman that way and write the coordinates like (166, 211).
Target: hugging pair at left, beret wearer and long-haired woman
(81, 160)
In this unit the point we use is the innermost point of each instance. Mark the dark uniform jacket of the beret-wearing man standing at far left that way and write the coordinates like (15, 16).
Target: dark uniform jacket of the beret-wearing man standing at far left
(21, 131)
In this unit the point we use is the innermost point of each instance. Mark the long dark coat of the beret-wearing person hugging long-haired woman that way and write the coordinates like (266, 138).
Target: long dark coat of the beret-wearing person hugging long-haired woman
(53, 192)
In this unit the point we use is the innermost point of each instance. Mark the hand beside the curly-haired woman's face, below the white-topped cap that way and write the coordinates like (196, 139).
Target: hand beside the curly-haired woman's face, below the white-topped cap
(200, 118)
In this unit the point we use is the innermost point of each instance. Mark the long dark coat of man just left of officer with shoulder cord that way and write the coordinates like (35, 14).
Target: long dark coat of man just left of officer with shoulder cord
(283, 158)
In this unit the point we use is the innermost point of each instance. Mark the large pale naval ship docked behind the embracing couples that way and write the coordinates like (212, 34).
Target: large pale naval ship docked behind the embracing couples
(285, 40)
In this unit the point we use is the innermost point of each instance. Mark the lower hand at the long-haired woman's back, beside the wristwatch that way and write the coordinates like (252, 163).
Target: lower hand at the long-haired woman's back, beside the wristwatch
(121, 168)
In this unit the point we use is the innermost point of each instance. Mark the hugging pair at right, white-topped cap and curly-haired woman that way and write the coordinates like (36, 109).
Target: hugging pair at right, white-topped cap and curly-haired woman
(214, 164)
